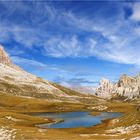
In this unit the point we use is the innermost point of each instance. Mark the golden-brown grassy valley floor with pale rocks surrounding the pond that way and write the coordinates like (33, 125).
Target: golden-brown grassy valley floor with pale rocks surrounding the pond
(16, 123)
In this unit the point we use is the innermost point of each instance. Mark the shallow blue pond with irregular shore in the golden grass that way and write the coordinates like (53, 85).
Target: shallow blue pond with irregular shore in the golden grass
(77, 119)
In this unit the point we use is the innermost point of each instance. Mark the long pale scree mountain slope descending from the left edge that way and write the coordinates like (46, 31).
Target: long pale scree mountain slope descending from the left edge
(16, 81)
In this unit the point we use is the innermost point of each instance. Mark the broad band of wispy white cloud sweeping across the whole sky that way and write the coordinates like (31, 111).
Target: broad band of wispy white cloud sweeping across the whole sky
(57, 32)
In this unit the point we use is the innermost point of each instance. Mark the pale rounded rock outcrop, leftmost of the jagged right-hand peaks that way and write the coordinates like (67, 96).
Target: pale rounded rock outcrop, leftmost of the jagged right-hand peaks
(105, 89)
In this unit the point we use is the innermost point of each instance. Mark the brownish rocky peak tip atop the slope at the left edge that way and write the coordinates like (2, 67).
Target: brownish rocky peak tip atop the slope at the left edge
(4, 57)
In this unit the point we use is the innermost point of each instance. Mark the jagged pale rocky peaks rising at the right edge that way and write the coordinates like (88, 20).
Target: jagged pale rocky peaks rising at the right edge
(127, 87)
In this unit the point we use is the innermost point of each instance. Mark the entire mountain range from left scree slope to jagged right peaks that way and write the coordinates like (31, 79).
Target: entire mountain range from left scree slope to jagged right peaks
(15, 81)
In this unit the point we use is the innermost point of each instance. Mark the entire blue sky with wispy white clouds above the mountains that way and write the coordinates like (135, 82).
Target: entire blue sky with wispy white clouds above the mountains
(73, 43)
